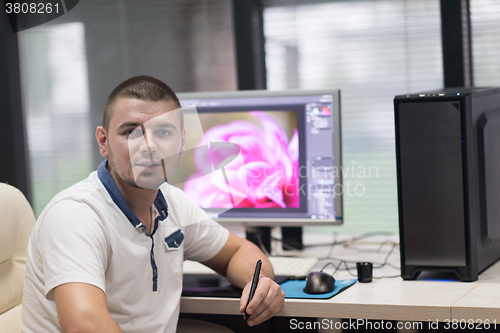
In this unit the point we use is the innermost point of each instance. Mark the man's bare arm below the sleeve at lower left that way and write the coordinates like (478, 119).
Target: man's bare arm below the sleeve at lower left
(82, 307)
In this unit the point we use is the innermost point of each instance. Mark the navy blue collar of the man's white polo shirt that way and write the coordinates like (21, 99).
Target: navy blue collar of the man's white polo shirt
(113, 191)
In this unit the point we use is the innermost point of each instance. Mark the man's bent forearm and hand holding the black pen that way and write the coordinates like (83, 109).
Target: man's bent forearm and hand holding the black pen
(237, 261)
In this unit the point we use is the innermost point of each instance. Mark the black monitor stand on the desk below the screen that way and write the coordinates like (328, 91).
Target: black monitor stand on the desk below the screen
(291, 237)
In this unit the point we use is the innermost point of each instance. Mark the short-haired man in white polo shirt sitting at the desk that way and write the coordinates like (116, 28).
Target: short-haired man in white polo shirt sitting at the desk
(106, 254)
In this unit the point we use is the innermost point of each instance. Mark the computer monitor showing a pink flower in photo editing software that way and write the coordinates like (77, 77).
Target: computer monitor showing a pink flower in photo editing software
(263, 158)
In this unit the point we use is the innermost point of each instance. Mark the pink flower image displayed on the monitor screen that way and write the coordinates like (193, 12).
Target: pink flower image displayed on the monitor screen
(270, 169)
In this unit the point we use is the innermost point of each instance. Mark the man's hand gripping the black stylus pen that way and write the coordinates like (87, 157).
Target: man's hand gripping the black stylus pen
(267, 301)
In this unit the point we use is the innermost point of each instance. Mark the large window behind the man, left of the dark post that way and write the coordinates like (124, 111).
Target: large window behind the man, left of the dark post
(71, 64)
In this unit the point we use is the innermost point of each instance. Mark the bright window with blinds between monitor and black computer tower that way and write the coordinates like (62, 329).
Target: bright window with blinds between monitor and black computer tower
(372, 51)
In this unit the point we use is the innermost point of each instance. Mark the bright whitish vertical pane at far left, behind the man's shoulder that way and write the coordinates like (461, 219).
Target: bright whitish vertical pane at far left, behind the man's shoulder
(57, 105)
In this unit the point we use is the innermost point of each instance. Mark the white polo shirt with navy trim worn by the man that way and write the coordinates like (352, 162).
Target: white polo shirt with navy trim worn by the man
(88, 234)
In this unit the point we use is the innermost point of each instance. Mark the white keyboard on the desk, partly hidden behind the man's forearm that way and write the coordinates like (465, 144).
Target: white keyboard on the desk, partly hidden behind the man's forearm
(283, 266)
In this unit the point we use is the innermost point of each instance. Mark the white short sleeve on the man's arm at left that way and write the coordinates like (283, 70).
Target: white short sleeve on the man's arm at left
(73, 245)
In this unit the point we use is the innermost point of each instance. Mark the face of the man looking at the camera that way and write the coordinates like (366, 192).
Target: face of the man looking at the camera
(144, 141)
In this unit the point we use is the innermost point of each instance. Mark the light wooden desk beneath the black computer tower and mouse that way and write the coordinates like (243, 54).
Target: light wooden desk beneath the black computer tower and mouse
(388, 298)
